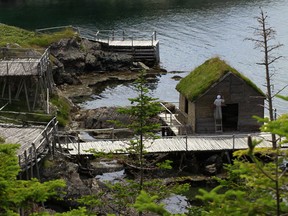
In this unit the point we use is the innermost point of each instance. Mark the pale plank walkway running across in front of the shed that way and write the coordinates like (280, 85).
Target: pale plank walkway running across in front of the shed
(171, 144)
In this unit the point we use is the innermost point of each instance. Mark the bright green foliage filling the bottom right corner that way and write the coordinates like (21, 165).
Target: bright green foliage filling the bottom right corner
(247, 191)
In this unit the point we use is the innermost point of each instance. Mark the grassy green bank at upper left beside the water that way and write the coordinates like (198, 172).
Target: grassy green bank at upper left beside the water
(15, 35)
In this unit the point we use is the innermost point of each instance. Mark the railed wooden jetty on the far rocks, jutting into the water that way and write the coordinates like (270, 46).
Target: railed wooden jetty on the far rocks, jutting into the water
(143, 46)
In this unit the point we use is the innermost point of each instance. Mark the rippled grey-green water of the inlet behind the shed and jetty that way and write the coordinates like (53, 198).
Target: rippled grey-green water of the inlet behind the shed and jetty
(190, 32)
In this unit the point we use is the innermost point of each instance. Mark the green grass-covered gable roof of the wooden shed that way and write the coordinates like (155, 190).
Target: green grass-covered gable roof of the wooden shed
(201, 78)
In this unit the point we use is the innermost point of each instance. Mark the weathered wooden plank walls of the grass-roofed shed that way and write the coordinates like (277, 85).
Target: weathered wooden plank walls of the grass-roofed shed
(235, 91)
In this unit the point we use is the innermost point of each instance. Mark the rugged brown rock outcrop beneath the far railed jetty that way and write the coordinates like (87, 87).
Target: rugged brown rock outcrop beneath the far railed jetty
(73, 57)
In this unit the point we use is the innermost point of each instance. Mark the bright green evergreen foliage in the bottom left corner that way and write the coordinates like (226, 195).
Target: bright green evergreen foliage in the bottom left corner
(20, 193)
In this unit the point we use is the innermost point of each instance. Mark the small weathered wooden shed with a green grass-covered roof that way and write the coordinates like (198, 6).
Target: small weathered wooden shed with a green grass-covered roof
(198, 91)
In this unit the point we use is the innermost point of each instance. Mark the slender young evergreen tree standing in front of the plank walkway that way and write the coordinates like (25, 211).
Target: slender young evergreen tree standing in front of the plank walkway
(142, 111)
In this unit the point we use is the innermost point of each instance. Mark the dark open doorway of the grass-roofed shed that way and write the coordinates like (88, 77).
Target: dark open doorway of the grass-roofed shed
(230, 117)
